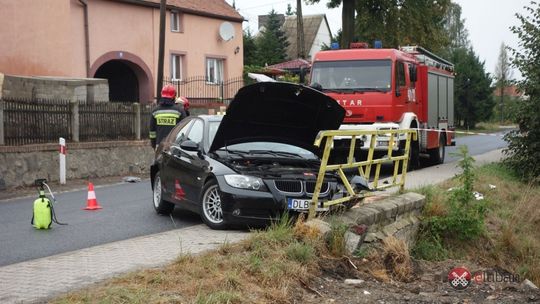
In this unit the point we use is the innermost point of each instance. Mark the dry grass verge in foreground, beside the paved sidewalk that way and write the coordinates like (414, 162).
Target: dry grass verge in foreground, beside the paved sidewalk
(263, 269)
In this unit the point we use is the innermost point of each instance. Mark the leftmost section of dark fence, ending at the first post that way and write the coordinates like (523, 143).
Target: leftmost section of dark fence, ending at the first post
(36, 121)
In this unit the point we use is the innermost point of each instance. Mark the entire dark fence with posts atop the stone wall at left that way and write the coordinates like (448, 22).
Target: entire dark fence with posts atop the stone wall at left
(34, 121)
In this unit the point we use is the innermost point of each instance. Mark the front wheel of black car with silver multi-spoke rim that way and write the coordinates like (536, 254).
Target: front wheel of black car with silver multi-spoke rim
(210, 206)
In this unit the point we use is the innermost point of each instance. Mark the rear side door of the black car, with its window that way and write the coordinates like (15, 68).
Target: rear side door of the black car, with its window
(170, 146)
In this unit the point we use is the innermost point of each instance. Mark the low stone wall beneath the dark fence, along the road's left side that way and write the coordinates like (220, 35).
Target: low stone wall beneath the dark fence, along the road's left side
(20, 165)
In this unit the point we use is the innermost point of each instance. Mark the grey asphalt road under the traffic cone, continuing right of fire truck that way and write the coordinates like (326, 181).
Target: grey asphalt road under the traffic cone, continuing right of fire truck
(127, 212)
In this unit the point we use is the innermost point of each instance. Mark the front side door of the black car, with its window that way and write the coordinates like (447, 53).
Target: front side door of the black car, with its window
(189, 168)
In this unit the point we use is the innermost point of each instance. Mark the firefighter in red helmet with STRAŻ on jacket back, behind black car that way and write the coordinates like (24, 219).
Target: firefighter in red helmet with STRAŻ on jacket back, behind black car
(165, 116)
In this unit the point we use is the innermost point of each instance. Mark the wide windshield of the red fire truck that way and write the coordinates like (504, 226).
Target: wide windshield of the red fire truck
(367, 75)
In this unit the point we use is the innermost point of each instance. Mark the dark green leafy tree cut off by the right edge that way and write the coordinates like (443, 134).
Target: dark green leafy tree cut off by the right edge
(523, 150)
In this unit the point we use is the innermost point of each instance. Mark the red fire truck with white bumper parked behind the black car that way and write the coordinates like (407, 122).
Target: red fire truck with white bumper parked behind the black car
(391, 89)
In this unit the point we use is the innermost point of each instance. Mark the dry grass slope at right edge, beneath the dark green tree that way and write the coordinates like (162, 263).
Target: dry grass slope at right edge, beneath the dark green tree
(513, 222)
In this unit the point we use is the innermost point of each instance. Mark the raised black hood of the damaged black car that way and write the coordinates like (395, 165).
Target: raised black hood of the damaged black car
(278, 112)
